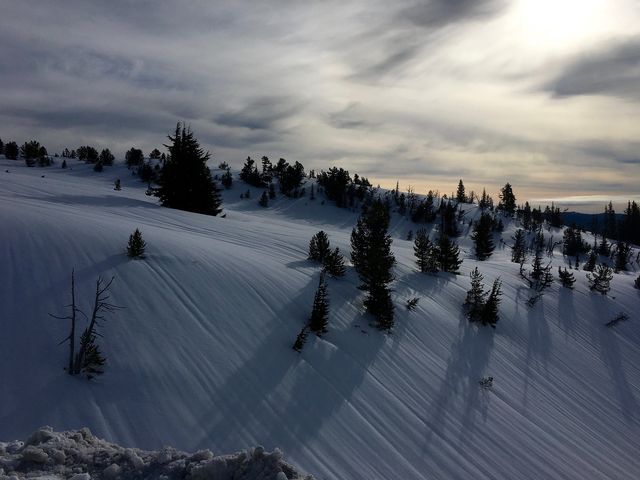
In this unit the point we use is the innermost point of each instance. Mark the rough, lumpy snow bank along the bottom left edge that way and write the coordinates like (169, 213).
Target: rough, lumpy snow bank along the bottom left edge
(79, 455)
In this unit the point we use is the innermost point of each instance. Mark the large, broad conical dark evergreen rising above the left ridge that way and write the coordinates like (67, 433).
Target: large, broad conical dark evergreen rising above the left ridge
(185, 180)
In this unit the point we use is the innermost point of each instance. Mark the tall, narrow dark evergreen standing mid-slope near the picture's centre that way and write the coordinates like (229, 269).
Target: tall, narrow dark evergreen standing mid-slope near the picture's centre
(372, 259)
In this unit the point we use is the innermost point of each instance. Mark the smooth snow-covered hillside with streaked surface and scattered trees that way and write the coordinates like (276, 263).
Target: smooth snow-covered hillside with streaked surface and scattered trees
(201, 355)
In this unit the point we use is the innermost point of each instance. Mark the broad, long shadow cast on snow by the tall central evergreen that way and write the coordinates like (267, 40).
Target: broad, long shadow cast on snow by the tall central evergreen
(276, 385)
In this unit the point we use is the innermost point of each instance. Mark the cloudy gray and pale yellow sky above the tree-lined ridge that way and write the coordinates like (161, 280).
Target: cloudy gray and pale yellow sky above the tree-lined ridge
(544, 94)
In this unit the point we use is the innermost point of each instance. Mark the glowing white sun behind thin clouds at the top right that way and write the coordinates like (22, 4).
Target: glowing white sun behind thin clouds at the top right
(561, 23)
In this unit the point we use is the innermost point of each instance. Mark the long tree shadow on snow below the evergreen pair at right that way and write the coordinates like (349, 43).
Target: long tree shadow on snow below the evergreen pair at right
(470, 354)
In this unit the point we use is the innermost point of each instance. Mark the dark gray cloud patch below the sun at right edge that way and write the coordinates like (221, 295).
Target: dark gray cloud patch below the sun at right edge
(611, 71)
